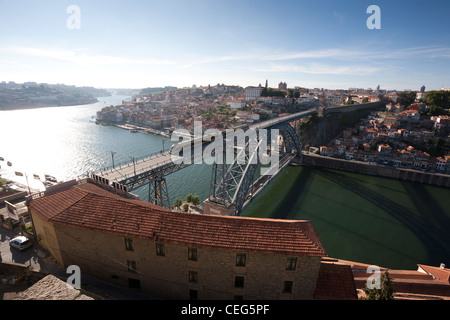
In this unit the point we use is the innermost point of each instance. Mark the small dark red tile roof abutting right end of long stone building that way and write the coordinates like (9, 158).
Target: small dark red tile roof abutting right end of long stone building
(335, 282)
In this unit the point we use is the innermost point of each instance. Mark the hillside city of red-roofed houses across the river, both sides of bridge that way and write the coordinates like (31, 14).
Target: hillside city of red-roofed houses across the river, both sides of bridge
(407, 134)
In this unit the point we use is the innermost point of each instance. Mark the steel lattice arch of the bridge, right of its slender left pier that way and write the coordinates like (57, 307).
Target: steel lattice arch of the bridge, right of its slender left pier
(233, 185)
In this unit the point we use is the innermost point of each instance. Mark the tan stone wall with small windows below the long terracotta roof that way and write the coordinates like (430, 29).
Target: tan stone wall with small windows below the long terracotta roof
(104, 255)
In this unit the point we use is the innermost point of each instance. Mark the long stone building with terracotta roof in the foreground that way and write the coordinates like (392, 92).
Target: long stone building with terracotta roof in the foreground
(177, 255)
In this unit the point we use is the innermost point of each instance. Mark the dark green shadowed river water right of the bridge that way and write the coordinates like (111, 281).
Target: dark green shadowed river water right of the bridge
(380, 221)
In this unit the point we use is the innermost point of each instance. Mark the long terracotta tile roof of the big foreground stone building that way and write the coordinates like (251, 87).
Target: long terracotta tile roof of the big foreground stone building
(88, 206)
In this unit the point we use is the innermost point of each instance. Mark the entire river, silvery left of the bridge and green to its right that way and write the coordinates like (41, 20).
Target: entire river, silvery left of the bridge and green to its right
(380, 221)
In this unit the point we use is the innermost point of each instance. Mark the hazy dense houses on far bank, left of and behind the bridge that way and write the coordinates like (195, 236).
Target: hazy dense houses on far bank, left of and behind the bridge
(179, 108)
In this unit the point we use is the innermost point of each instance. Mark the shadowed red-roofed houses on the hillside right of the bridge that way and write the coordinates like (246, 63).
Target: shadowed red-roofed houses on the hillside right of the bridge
(397, 137)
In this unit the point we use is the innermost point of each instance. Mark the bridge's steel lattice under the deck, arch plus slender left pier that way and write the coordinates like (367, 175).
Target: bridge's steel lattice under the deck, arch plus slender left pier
(231, 184)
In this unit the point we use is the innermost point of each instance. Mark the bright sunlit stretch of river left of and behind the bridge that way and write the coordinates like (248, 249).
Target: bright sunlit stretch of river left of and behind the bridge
(66, 143)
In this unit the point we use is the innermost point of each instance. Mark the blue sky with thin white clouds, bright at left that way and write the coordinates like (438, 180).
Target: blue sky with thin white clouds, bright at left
(152, 43)
